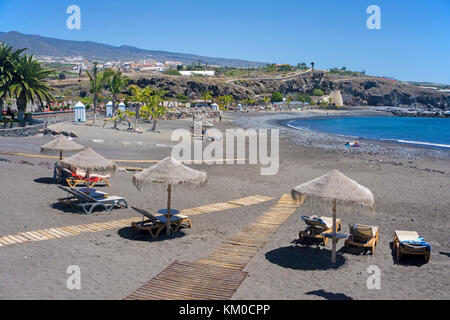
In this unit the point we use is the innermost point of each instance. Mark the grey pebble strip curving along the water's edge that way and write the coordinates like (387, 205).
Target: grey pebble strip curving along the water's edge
(369, 149)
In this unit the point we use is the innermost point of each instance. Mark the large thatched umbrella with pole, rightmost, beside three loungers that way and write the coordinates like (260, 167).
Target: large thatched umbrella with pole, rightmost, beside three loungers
(335, 187)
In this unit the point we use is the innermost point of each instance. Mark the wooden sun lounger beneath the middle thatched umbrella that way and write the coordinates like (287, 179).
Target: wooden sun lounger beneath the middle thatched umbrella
(155, 224)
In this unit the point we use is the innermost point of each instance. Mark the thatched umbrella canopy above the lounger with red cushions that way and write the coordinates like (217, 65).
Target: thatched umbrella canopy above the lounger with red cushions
(89, 161)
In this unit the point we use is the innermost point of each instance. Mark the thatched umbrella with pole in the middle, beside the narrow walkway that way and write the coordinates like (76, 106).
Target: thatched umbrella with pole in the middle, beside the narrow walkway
(171, 172)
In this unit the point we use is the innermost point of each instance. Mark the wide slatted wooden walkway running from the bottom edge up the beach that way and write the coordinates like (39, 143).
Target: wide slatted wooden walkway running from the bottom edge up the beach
(220, 275)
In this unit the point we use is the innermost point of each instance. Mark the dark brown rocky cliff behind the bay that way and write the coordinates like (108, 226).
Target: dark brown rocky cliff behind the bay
(356, 91)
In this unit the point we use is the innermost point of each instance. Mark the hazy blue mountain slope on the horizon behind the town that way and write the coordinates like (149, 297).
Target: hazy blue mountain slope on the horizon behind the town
(38, 45)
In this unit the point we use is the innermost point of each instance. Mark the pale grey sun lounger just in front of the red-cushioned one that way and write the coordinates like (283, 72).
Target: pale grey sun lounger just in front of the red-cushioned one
(88, 203)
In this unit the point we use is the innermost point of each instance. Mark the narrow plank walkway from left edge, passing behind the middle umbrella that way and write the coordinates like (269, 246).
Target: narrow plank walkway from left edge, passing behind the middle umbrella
(71, 231)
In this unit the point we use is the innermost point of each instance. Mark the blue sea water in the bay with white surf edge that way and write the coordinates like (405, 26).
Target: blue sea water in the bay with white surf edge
(431, 132)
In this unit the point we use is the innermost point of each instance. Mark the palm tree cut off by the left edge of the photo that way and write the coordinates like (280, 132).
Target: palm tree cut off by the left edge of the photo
(8, 56)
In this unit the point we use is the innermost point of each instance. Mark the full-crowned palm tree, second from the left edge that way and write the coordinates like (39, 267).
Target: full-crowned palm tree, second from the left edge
(28, 84)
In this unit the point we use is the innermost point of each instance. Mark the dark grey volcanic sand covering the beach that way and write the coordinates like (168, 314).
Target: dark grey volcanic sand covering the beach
(410, 195)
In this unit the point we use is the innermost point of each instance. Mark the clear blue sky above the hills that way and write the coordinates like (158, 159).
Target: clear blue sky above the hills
(413, 44)
